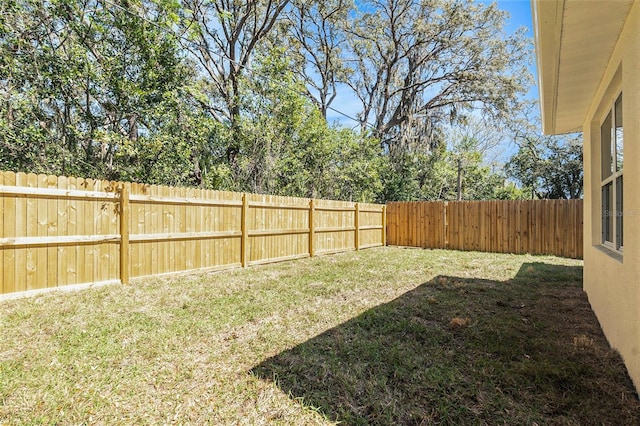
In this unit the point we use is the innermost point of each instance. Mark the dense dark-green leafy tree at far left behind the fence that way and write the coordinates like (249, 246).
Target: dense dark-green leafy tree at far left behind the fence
(83, 81)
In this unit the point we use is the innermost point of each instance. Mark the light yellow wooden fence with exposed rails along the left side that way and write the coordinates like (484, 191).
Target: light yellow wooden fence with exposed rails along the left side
(60, 232)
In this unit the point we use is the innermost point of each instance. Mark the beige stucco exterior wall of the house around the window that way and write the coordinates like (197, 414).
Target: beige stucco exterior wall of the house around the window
(611, 280)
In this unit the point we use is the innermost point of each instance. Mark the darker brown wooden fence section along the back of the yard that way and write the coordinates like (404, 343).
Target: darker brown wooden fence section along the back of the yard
(529, 226)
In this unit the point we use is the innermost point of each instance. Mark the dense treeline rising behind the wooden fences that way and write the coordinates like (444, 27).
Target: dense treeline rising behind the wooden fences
(236, 95)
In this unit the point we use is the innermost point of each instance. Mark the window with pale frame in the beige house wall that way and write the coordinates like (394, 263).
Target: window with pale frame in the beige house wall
(611, 145)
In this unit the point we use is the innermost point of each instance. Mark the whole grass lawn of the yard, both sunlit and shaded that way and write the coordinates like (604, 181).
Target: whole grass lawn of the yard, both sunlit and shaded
(381, 336)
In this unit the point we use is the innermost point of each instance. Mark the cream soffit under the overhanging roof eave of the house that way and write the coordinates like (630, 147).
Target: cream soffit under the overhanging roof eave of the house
(574, 42)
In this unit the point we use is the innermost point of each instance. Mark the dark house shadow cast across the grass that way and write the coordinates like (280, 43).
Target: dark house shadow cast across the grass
(465, 351)
